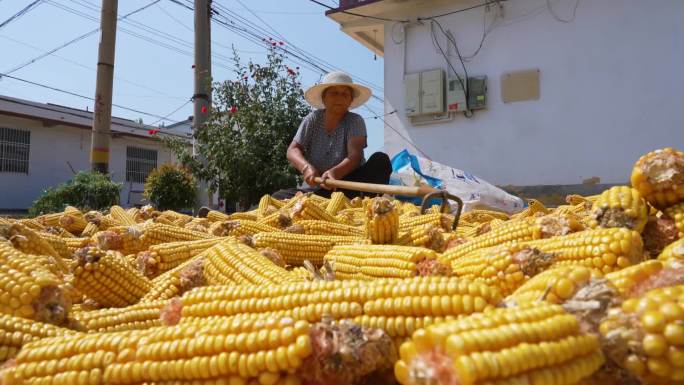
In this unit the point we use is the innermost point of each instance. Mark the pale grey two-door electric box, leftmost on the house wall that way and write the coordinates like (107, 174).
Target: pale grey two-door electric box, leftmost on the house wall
(424, 93)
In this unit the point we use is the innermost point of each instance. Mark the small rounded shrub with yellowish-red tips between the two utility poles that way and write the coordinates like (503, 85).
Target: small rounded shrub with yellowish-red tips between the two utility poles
(170, 188)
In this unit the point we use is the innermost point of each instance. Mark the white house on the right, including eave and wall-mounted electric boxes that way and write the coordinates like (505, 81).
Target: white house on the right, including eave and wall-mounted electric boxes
(575, 91)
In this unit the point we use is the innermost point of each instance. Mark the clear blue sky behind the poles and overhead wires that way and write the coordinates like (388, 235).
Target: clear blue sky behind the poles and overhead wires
(156, 79)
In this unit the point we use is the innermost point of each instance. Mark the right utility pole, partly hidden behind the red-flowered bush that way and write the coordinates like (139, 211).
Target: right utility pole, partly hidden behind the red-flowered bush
(202, 96)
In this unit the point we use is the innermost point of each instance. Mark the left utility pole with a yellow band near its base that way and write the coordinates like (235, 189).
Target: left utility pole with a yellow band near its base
(102, 112)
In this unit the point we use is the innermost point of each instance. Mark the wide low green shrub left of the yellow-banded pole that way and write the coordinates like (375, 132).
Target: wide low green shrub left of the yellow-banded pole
(86, 190)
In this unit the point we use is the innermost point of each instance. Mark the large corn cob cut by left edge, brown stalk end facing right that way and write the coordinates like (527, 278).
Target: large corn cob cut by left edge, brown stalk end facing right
(29, 289)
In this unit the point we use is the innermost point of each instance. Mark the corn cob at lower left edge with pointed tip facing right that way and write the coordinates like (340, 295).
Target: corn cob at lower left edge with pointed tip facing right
(16, 332)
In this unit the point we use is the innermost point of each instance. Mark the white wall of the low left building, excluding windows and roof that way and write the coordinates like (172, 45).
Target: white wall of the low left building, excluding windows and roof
(51, 149)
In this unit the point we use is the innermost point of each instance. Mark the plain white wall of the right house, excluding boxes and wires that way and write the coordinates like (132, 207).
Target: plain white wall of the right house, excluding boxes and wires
(611, 89)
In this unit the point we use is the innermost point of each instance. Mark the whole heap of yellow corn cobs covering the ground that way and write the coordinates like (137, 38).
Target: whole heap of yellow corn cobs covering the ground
(337, 291)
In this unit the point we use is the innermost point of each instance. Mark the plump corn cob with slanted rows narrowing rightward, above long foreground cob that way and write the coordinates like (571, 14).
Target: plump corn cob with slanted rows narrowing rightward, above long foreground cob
(231, 262)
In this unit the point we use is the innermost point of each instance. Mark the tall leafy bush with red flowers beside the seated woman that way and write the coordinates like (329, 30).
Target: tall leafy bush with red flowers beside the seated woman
(253, 120)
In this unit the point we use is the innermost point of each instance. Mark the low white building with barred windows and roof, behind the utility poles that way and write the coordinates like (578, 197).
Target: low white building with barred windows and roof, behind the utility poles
(43, 145)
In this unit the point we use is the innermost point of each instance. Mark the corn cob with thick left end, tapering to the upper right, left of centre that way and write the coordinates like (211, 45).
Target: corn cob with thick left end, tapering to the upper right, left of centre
(166, 256)
